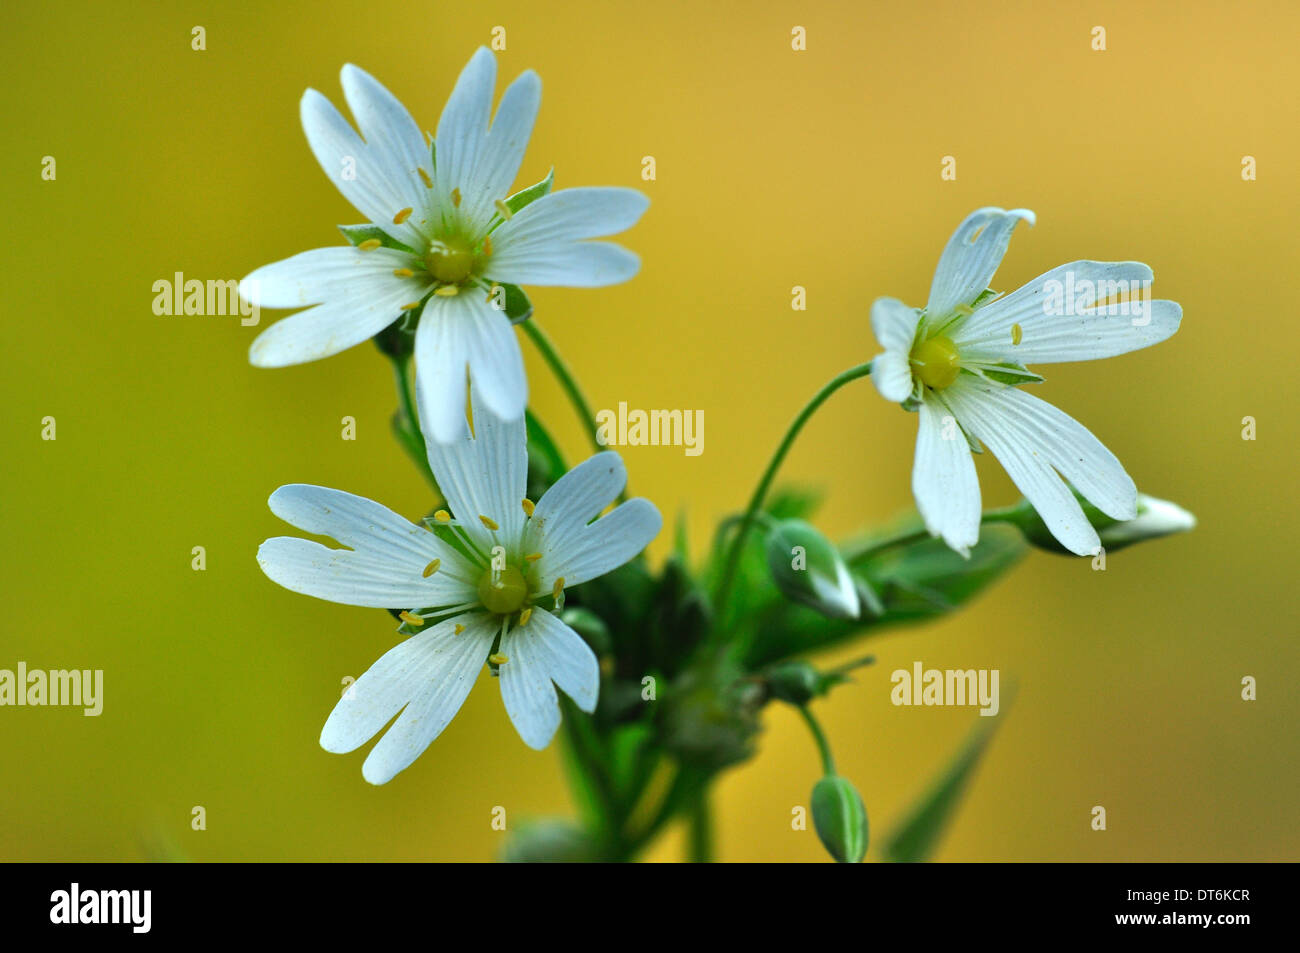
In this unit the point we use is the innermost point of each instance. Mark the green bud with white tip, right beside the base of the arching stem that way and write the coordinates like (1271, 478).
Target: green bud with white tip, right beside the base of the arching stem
(809, 570)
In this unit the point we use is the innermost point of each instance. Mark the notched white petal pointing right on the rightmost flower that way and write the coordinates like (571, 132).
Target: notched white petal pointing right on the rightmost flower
(1048, 339)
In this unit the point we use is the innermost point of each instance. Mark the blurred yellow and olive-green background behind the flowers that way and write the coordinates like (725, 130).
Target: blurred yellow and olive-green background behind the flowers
(775, 168)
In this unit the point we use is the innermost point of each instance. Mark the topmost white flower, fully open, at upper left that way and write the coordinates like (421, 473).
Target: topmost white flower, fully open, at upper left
(447, 206)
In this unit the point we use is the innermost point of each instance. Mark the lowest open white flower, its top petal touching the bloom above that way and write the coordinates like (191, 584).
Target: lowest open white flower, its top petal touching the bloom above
(483, 574)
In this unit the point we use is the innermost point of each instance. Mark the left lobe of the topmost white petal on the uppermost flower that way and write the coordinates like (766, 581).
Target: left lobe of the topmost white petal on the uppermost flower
(463, 135)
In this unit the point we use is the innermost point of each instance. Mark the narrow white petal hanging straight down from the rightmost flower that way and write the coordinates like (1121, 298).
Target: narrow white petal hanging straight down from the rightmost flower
(943, 479)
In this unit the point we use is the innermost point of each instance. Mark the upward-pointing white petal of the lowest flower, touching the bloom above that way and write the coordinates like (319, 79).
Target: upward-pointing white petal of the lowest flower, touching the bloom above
(486, 475)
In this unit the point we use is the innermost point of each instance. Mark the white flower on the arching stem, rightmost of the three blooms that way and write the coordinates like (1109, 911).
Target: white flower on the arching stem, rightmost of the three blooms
(959, 363)
